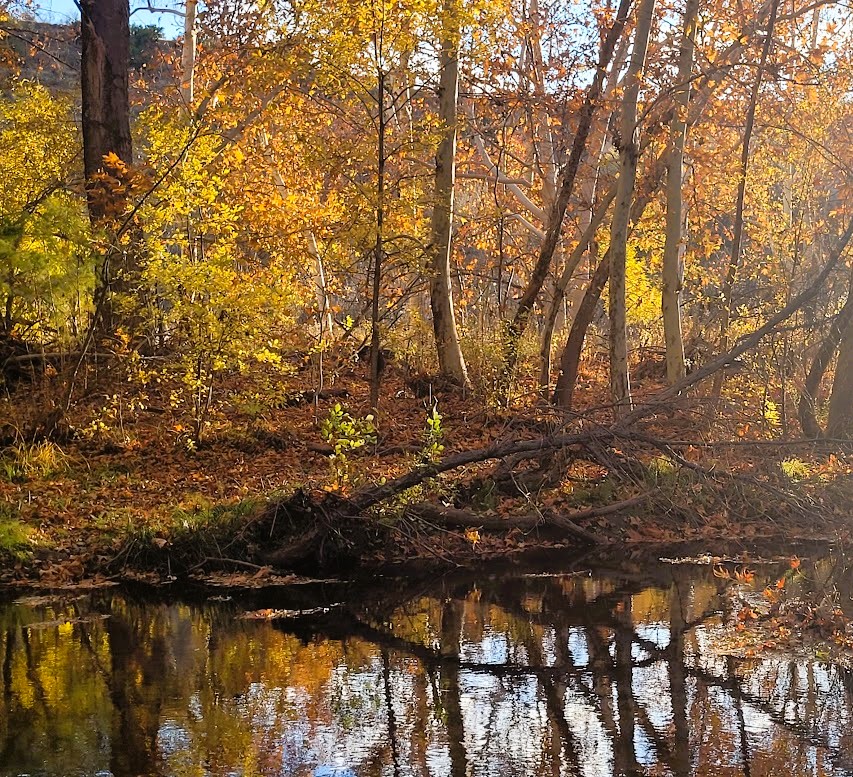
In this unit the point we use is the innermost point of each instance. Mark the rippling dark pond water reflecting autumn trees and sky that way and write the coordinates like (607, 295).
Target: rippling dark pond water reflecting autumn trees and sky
(579, 672)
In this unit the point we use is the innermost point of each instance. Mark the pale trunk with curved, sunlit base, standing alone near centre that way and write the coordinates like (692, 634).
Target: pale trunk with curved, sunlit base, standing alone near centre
(450, 360)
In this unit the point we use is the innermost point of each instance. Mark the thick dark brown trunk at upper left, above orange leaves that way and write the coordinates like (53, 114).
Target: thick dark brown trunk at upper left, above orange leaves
(105, 34)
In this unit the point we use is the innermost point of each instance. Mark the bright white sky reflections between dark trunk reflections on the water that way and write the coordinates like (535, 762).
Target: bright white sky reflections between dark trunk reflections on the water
(506, 718)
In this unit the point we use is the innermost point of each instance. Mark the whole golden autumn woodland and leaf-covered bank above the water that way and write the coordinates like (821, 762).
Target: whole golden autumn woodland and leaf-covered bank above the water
(320, 282)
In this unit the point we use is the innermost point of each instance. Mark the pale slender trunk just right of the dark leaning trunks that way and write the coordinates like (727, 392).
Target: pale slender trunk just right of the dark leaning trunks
(629, 151)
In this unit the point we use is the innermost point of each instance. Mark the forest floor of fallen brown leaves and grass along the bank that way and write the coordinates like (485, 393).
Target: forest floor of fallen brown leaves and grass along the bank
(127, 497)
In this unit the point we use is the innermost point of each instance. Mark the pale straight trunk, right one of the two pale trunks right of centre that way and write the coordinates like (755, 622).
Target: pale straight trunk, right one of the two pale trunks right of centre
(673, 252)
